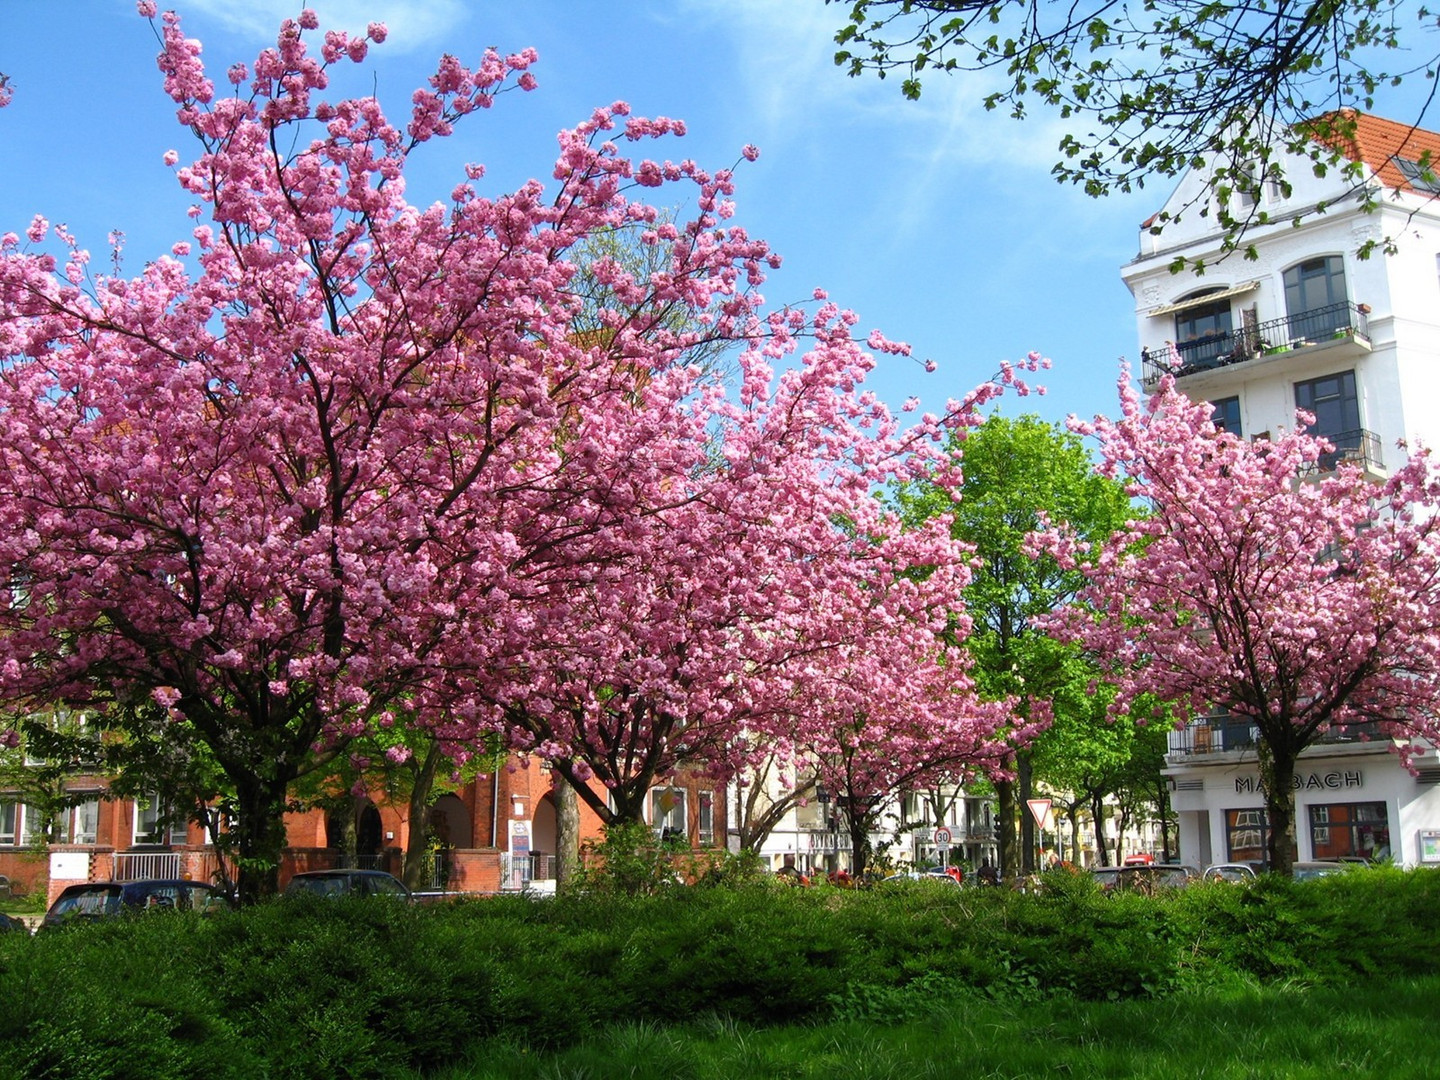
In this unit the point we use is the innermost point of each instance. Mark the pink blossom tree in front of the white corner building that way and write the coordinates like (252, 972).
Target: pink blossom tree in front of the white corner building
(1307, 603)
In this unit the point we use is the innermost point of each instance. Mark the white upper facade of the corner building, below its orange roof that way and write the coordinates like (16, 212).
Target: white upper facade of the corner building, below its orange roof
(1284, 322)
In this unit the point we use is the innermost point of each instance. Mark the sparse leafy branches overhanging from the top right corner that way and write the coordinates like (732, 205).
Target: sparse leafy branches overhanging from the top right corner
(1158, 87)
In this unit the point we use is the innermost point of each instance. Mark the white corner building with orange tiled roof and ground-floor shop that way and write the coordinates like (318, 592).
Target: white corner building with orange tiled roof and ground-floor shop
(1357, 342)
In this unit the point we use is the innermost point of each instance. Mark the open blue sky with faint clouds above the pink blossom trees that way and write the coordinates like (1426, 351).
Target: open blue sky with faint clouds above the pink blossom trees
(935, 221)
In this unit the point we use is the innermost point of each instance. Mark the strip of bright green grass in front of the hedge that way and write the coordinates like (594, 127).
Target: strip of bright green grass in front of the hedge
(1241, 1032)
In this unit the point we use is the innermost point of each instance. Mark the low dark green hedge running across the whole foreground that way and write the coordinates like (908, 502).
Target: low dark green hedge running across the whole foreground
(372, 990)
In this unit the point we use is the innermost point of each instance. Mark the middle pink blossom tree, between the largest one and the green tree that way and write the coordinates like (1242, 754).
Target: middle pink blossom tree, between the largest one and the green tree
(745, 601)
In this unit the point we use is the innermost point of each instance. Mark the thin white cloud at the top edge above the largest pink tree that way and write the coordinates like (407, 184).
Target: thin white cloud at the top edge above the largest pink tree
(413, 24)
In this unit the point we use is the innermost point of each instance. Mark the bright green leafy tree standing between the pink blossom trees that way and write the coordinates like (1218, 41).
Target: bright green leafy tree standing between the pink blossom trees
(1014, 473)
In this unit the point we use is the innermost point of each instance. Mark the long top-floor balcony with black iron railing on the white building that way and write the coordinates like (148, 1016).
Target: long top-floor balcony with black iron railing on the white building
(1321, 328)
